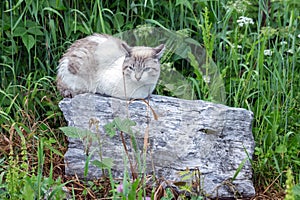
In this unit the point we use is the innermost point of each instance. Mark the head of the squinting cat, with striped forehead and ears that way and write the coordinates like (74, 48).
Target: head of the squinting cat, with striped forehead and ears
(142, 63)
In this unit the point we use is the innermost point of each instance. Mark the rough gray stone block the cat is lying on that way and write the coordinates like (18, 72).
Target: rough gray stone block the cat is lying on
(187, 134)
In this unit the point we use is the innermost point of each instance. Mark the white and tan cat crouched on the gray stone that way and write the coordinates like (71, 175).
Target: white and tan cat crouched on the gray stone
(109, 66)
